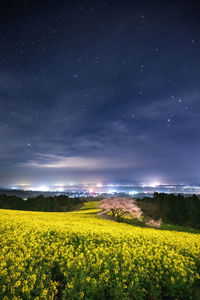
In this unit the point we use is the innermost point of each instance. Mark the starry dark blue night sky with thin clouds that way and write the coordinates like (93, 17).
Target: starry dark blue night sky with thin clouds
(99, 91)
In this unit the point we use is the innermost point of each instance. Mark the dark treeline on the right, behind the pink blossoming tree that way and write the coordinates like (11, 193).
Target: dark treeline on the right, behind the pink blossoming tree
(173, 209)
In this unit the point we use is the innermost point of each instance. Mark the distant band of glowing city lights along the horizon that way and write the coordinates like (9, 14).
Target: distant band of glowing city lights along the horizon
(102, 190)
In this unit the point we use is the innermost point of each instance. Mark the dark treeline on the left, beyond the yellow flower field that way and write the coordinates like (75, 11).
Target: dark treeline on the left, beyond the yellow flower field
(40, 203)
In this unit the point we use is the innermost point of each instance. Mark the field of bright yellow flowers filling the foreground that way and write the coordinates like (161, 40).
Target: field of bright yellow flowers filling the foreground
(77, 255)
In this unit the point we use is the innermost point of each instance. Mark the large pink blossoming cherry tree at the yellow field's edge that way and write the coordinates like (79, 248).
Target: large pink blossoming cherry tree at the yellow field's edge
(120, 207)
